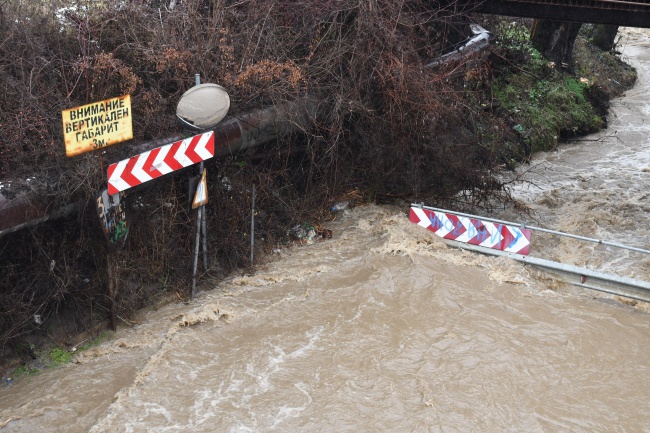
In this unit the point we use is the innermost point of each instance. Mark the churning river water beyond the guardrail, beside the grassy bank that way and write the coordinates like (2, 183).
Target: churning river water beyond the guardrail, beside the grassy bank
(598, 186)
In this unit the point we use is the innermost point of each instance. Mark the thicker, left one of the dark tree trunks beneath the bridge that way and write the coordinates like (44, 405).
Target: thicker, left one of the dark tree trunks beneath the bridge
(555, 39)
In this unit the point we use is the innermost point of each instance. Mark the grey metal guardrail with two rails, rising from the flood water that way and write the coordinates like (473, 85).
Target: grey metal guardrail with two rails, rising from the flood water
(575, 275)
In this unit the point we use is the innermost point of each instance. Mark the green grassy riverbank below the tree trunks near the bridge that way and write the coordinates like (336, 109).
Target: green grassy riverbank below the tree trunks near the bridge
(544, 104)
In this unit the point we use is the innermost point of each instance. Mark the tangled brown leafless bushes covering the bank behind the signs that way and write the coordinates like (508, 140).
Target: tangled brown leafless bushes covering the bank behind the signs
(386, 127)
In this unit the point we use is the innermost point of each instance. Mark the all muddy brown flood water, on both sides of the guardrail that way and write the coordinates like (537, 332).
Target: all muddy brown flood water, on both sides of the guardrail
(383, 328)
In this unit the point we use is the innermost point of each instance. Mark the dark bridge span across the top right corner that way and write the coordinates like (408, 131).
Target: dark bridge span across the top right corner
(627, 13)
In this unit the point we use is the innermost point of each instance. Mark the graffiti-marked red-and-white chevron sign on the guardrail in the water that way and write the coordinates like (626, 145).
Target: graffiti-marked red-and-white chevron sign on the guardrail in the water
(472, 231)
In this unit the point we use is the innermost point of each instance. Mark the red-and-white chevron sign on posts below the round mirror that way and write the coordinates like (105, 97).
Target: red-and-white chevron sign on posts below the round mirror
(159, 161)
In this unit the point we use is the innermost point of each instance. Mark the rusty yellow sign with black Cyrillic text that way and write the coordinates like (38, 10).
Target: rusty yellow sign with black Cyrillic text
(93, 126)
